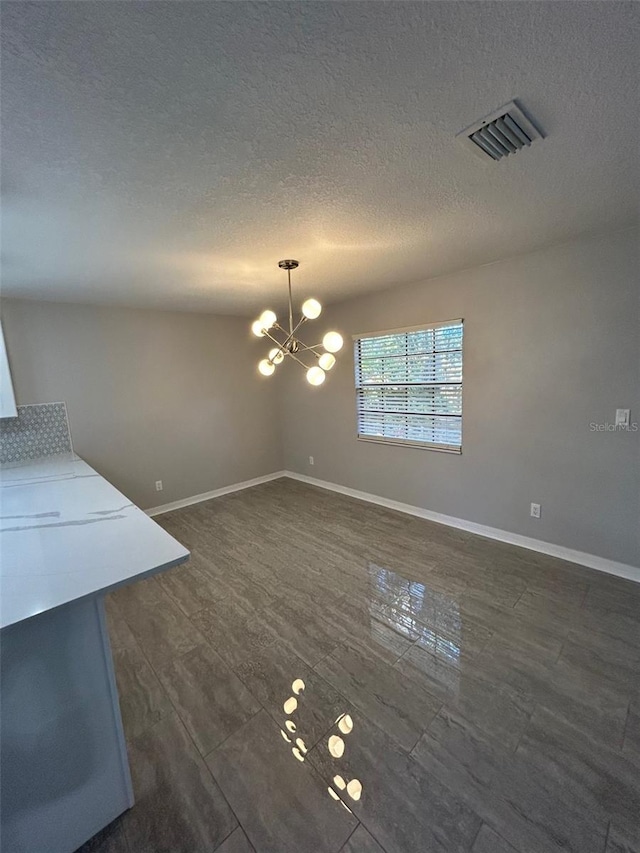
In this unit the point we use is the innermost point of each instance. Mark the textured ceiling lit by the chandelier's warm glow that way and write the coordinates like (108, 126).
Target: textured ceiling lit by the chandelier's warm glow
(170, 153)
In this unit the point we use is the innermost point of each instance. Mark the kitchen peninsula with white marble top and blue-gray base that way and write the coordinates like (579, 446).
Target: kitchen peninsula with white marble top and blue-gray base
(67, 537)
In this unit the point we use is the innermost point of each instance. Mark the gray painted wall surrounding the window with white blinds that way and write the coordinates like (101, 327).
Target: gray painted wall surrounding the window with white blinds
(551, 345)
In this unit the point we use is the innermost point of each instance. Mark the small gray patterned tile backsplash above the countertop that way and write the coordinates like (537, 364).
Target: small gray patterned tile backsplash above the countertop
(38, 430)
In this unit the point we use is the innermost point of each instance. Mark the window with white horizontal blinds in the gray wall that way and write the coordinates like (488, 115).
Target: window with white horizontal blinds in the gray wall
(409, 386)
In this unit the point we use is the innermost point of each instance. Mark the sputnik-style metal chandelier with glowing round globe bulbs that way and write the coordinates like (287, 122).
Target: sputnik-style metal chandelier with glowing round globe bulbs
(322, 354)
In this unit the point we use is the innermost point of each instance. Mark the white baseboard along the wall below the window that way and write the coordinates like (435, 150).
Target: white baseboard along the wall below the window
(591, 561)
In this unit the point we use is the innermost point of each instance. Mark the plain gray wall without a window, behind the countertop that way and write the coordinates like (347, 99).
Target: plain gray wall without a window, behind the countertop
(151, 395)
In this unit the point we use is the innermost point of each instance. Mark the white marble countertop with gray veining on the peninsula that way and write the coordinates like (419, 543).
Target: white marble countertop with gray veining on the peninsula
(66, 533)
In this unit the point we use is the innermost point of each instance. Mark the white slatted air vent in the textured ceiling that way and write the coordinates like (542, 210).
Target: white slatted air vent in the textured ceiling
(504, 132)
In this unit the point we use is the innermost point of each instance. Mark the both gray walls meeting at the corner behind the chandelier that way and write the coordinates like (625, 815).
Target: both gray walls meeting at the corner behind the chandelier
(551, 345)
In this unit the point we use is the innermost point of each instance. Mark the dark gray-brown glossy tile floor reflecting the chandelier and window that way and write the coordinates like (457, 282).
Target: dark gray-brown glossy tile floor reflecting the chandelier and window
(491, 694)
